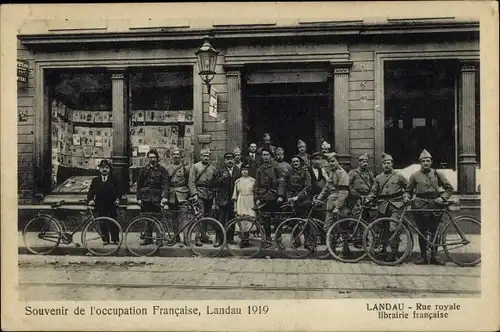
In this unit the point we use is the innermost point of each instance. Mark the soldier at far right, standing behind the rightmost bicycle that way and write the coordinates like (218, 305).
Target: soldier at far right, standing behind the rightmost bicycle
(425, 184)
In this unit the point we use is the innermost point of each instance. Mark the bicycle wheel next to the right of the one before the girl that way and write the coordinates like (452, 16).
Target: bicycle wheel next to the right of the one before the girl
(296, 238)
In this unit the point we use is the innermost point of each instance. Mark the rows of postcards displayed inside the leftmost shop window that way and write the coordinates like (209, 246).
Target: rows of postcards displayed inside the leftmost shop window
(80, 140)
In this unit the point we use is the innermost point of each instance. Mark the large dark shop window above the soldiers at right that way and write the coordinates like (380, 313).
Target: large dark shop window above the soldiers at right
(420, 111)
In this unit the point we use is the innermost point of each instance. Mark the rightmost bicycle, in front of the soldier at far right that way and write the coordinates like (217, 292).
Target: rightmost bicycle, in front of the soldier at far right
(450, 235)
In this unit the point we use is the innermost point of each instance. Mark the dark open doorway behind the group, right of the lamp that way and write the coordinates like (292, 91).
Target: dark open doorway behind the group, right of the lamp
(289, 112)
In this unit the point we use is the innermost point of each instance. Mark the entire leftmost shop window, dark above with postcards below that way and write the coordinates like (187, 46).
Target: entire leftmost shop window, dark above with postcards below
(81, 126)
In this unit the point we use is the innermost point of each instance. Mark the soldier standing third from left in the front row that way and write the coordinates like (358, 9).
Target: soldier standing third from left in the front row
(178, 183)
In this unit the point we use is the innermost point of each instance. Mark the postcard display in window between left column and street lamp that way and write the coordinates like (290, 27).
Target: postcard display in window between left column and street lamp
(163, 130)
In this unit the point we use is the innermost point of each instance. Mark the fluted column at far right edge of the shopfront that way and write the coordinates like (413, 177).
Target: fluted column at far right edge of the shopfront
(467, 159)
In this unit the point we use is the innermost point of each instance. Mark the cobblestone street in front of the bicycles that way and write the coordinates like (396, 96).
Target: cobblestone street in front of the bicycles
(166, 278)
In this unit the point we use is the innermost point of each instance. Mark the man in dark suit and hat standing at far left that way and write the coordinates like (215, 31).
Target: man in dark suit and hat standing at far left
(104, 193)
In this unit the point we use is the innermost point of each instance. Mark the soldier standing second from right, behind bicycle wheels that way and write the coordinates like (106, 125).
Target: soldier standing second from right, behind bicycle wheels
(389, 187)
